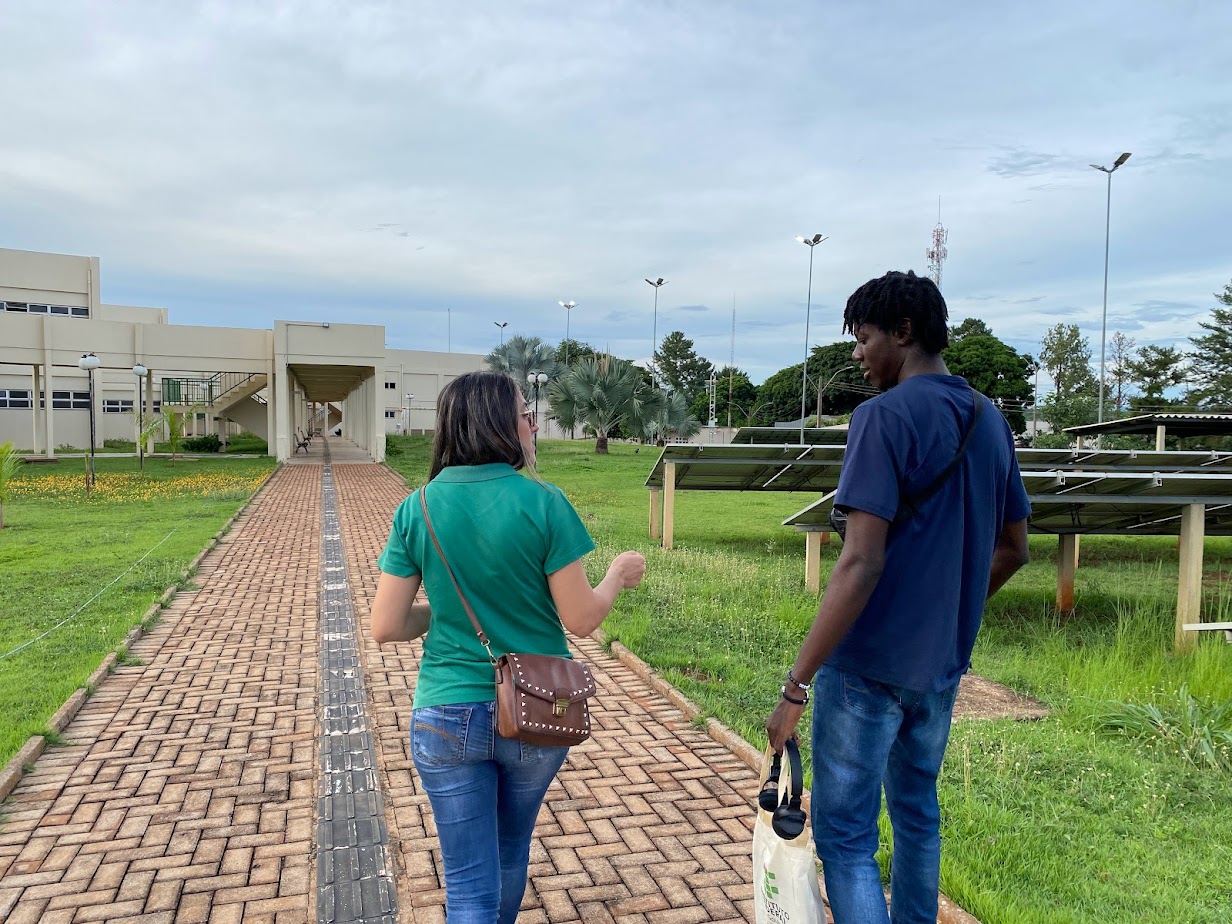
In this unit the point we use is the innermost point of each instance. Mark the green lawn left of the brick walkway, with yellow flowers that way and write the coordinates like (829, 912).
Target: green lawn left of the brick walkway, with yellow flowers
(60, 549)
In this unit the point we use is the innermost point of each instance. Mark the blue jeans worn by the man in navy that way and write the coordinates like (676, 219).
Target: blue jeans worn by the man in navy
(868, 736)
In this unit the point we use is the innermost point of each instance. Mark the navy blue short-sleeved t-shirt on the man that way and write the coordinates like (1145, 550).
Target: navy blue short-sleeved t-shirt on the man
(920, 626)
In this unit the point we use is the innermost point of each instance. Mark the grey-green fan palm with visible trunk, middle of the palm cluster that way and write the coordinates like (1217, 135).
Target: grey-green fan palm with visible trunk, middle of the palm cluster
(602, 394)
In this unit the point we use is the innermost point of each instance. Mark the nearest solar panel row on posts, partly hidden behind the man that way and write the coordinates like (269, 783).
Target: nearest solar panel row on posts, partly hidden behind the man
(1194, 507)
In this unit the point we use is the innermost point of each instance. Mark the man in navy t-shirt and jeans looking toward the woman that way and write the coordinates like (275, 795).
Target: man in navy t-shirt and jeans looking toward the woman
(896, 628)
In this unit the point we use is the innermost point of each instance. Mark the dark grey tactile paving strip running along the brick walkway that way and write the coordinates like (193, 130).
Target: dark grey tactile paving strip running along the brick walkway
(354, 880)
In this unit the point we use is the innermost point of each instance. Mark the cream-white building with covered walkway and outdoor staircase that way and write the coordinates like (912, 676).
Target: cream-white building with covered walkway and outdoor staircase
(277, 384)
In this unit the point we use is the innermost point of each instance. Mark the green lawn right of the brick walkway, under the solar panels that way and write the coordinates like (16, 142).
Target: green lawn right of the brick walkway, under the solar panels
(1044, 822)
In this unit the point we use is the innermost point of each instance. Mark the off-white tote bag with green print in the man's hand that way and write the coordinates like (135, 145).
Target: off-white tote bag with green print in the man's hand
(785, 889)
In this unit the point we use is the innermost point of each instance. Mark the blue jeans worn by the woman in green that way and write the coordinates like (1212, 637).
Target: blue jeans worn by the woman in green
(486, 793)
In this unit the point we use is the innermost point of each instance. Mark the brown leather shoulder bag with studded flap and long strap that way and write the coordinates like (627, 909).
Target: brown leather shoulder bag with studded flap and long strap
(540, 699)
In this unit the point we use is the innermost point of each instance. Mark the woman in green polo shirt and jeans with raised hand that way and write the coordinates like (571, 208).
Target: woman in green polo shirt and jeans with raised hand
(516, 546)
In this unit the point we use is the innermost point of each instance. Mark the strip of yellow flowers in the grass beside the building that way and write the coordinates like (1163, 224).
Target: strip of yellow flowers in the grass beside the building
(123, 487)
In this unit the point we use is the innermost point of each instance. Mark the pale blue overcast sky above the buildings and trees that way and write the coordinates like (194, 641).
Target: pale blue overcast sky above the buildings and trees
(383, 163)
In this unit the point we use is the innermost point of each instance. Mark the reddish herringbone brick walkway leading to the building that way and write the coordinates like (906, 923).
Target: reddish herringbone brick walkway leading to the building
(189, 789)
